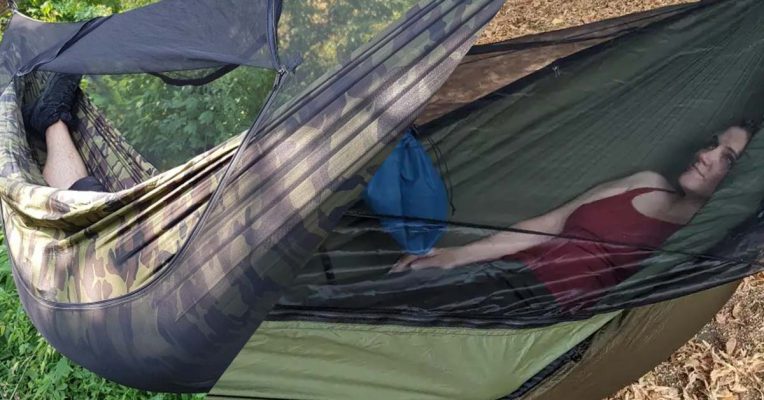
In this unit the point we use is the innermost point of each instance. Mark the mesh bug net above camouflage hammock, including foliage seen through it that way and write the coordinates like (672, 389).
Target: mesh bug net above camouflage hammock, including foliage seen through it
(168, 125)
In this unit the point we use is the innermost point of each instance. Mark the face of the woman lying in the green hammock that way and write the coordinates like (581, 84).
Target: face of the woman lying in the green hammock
(712, 163)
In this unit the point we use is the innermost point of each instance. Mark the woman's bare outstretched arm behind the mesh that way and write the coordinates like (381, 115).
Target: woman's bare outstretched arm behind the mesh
(504, 243)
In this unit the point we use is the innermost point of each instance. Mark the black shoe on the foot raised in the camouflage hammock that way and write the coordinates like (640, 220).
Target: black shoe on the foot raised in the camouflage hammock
(55, 104)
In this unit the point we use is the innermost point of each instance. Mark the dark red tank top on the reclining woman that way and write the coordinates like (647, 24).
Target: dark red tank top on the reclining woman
(571, 268)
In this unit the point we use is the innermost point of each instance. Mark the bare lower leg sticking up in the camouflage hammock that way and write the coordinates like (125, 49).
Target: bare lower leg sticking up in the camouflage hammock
(64, 166)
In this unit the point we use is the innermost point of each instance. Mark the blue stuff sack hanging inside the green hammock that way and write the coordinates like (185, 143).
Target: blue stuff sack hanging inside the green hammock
(408, 185)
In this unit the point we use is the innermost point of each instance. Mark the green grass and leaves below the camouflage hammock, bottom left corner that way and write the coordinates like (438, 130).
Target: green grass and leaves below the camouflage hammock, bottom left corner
(31, 369)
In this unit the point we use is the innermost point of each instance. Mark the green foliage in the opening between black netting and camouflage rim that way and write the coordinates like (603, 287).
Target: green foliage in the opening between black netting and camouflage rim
(170, 124)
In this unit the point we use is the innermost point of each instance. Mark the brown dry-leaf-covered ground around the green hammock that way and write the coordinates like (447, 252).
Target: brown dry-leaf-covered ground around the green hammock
(725, 361)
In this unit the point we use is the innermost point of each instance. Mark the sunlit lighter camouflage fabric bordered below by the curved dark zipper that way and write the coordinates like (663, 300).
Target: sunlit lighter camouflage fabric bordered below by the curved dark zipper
(87, 247)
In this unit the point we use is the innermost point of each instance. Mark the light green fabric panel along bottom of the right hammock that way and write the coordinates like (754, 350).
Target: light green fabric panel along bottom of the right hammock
(308, 360)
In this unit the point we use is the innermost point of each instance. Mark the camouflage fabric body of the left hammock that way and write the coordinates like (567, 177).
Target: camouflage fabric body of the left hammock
(96, 271)
